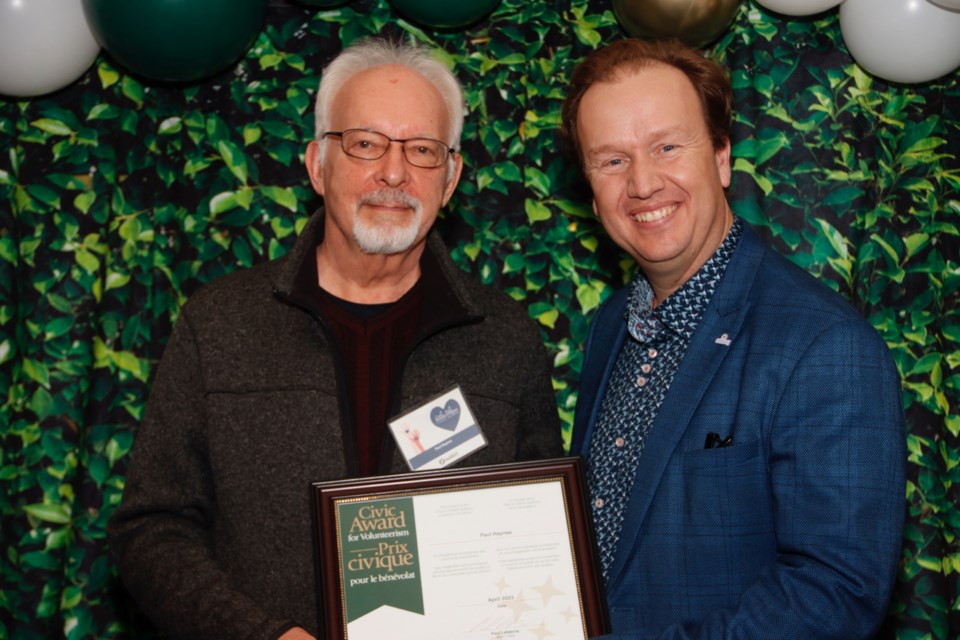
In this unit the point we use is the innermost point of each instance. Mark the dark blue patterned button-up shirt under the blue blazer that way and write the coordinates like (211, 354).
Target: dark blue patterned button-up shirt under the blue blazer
(650, 356)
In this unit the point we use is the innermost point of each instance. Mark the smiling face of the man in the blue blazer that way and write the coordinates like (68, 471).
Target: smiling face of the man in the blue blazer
(658, 183)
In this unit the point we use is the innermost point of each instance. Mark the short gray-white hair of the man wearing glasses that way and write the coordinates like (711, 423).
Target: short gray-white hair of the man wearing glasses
(376, 52)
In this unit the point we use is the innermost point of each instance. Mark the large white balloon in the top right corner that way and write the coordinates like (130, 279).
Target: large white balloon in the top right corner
(901, 40)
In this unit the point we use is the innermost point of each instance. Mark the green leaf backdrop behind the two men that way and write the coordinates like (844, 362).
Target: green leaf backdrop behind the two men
(119, 198)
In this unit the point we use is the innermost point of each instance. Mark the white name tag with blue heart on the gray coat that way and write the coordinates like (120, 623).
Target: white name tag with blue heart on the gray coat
(438, 433)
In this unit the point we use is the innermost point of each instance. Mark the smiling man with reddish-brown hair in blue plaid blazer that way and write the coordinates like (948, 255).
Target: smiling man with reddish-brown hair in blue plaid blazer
(742, 424)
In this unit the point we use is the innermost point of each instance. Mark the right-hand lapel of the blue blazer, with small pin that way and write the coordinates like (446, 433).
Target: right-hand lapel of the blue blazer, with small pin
(709, 345)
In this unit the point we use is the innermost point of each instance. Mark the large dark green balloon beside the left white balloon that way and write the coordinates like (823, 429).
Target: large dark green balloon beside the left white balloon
(175, 40)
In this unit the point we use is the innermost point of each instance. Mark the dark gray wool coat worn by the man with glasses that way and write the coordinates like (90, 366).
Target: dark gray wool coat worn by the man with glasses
(213, 536)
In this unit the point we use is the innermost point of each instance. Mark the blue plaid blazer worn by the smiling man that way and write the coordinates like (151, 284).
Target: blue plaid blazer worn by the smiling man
(794, 529)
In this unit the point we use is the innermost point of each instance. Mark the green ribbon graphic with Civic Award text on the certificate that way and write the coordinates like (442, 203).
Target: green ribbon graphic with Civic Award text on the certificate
(379, 558)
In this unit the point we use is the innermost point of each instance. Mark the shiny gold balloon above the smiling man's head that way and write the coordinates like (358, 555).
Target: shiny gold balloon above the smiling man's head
(695, 22)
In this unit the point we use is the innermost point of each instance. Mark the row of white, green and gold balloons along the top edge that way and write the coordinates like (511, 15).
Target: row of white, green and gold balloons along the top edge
(47, 44)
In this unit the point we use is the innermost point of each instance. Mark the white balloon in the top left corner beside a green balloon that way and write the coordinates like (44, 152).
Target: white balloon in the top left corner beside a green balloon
(44, 45)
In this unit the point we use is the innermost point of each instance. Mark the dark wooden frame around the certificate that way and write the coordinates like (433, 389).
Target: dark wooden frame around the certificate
(569, 471)
